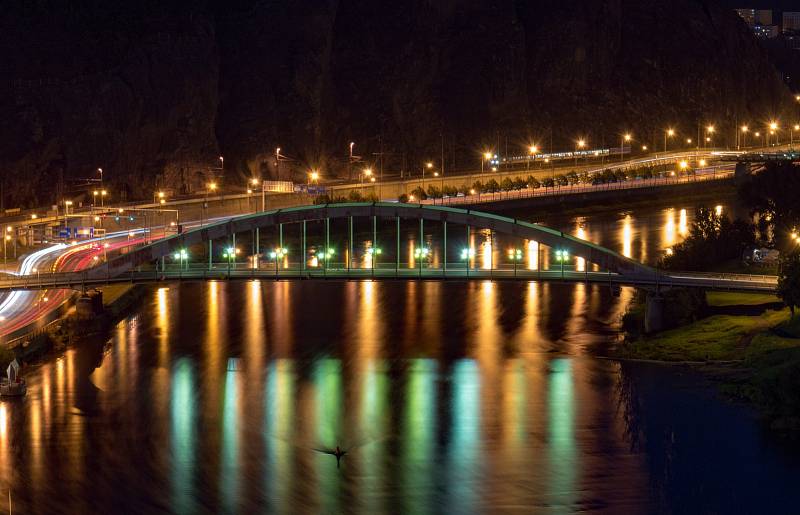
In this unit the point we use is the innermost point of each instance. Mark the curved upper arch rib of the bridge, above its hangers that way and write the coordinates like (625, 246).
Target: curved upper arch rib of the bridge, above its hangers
(605, 258)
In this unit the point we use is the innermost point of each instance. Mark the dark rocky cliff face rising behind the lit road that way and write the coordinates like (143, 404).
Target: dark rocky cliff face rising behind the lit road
(154, 92)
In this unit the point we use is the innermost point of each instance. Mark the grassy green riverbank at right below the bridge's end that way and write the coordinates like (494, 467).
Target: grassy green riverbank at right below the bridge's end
(747, 343)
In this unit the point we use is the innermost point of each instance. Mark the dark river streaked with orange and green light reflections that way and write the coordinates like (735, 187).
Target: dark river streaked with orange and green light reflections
(448, 398)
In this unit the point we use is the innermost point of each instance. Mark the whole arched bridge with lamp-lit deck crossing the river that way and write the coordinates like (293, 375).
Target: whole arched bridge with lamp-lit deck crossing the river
(429, 255)
